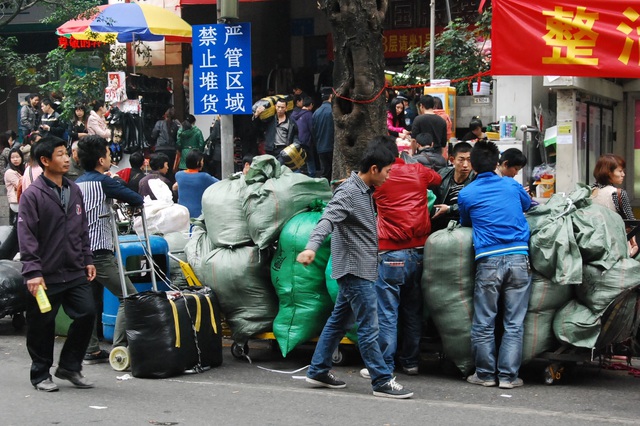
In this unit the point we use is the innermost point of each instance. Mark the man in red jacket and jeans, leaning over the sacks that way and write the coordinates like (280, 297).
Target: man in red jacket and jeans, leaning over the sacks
(403, 227)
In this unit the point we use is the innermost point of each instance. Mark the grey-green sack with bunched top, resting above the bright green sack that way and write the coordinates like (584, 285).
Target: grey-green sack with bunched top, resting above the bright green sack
(274, 195)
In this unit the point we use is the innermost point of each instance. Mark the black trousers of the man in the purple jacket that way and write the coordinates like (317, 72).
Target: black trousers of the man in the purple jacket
(76, 299)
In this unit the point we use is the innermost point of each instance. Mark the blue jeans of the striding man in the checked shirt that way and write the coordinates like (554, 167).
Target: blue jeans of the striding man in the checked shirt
(356, 299)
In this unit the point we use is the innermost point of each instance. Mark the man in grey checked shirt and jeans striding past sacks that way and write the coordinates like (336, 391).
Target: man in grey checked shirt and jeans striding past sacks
(350, 217)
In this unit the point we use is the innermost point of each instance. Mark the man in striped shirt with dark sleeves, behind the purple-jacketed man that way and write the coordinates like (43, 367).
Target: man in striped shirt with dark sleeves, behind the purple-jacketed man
(98, 191)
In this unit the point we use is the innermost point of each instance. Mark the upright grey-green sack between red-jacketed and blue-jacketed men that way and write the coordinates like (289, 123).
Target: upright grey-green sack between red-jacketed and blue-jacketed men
(448, 282)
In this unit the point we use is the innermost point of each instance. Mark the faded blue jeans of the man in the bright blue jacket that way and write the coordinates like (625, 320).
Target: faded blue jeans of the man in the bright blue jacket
(506, 279)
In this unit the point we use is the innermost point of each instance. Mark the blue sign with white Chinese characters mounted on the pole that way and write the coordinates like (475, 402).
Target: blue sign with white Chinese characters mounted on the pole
(222, 68)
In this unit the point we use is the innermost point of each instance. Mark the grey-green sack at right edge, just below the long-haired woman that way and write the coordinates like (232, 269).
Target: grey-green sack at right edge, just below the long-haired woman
(599, 288)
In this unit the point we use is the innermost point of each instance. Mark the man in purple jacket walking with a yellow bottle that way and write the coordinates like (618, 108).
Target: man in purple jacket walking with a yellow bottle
(56, 254)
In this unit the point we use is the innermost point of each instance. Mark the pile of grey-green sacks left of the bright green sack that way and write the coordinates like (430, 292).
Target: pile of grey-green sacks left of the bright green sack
(232, 248)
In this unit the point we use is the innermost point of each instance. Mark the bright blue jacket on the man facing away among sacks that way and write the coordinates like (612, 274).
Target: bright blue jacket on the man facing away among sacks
(495, 207)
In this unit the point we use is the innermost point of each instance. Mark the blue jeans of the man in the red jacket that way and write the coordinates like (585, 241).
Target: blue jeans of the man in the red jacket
(400, 294)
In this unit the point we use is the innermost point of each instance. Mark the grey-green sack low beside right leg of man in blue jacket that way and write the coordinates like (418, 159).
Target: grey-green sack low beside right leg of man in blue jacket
(546, 298)
